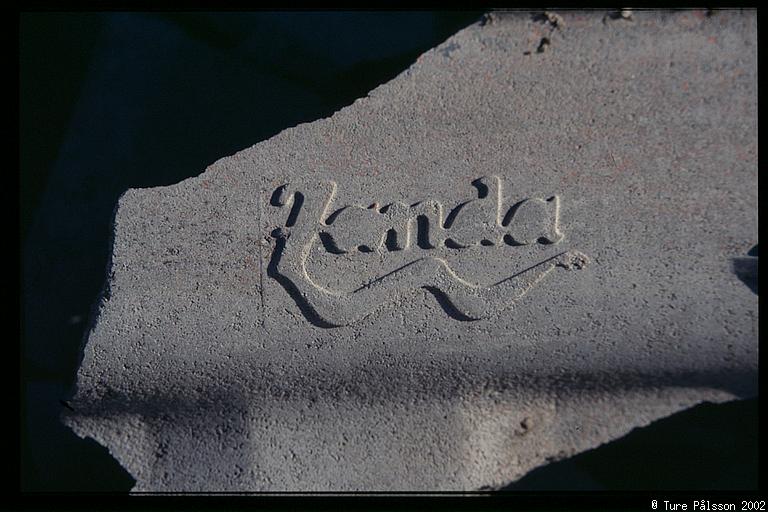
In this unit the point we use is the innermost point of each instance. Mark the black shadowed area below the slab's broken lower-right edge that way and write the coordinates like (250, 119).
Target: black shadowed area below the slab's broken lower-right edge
(710, 447)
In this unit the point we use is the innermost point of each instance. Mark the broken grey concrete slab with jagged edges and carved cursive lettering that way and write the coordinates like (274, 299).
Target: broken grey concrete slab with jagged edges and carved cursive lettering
(519, 249)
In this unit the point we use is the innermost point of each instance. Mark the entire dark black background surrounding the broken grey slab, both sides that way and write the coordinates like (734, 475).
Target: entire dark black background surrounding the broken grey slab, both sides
(111, 101)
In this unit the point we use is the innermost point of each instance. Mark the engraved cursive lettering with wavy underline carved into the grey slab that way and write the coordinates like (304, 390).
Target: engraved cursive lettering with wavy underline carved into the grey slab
(416, 229)
